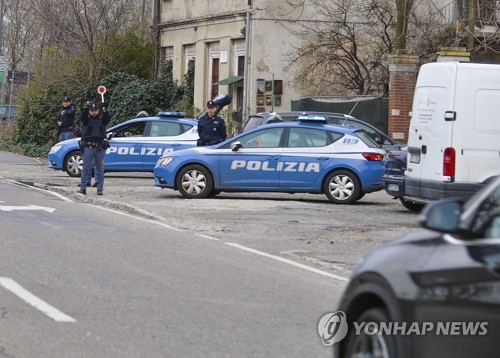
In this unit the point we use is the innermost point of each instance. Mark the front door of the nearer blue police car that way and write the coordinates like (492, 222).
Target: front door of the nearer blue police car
(256, 163)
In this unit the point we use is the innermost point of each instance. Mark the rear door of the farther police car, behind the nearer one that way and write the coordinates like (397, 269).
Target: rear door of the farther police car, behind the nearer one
(163, 137)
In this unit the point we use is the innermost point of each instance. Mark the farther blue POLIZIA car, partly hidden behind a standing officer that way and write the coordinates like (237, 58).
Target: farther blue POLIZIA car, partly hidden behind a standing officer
(136, 144)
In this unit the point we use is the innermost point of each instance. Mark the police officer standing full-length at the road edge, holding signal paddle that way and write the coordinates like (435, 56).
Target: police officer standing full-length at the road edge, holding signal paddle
(93, 145)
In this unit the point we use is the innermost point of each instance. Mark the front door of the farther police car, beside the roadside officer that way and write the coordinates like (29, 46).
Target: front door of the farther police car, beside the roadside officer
(126, 143)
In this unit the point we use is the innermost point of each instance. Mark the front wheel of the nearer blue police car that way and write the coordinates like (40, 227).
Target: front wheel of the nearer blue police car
(194, 181)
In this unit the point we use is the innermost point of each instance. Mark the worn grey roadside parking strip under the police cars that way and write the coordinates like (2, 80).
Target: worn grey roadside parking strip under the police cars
(305, 228)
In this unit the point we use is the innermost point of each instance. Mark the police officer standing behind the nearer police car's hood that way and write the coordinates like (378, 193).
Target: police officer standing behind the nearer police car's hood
(211, 127)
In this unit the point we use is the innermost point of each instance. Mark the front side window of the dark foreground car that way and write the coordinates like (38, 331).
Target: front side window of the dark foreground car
(487, 221)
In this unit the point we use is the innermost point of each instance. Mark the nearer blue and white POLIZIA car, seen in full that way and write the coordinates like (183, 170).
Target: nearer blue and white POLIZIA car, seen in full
(305, 156)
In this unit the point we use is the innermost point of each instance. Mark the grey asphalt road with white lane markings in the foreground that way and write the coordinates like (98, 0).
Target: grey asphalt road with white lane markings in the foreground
(119, 285)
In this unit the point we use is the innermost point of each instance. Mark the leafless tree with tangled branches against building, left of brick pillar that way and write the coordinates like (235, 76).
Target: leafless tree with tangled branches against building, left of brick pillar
(346, 53)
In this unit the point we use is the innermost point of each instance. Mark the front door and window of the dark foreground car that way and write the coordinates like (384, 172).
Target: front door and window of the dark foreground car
(461, 283)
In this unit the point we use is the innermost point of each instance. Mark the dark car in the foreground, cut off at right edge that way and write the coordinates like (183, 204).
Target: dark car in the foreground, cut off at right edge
(434, 292)
